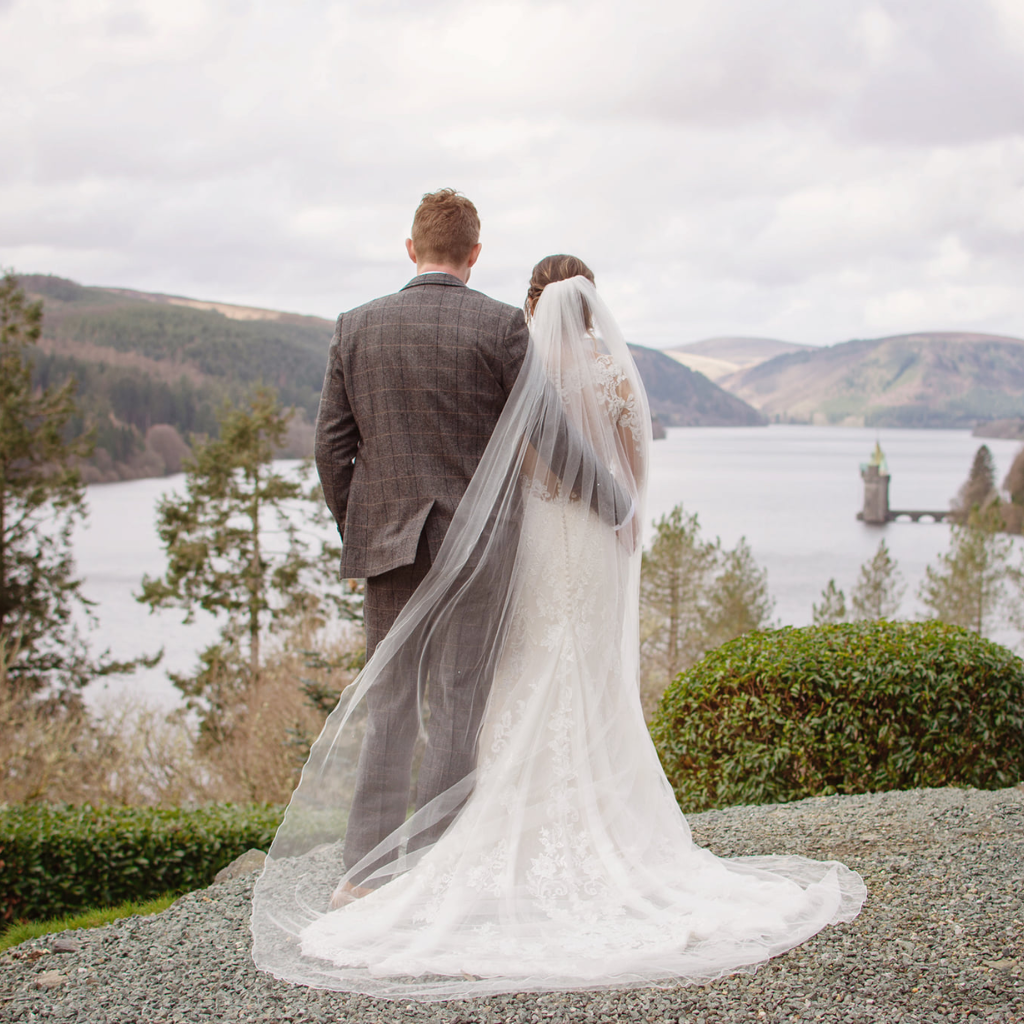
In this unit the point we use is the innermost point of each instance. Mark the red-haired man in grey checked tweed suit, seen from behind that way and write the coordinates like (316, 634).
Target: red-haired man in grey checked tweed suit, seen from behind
(415, 385)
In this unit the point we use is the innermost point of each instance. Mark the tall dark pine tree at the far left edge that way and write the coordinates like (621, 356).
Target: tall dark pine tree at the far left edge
(41, 498)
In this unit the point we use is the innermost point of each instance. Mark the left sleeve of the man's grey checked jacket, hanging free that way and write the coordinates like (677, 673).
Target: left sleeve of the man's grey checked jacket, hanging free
(337, 438)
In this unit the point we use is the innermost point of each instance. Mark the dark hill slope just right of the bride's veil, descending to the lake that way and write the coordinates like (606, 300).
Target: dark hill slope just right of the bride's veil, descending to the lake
(682, 398)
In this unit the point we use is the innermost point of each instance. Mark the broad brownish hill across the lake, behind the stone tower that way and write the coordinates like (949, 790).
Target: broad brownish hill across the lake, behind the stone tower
(936, 379)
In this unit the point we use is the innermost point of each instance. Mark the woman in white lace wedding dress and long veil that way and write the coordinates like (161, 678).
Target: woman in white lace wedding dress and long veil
(563, 862)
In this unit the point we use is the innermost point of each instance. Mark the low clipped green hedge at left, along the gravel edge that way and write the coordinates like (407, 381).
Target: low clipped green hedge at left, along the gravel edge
(58, 860)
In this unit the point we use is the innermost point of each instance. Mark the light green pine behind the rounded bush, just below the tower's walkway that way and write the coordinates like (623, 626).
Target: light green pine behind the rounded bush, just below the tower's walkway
(969, 587)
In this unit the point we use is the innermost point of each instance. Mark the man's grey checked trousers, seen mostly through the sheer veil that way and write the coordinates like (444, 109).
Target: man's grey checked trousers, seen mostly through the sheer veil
(456, 699)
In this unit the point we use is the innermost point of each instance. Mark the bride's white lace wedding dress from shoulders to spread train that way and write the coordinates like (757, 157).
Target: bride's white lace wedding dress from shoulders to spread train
(571, 865)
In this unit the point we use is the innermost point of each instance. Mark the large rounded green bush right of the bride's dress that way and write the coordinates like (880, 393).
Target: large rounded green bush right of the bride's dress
(851, 708)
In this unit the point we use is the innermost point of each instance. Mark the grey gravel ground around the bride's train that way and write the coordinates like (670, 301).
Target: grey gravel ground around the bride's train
(942, 938)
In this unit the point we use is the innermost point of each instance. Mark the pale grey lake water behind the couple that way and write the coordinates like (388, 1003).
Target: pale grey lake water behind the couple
(793, 492)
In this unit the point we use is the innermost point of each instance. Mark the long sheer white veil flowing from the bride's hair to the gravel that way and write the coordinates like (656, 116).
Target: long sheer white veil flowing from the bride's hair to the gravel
(577, 415)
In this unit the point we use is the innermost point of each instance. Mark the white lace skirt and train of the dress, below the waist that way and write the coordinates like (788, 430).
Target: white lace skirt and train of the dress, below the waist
(572, 865)
